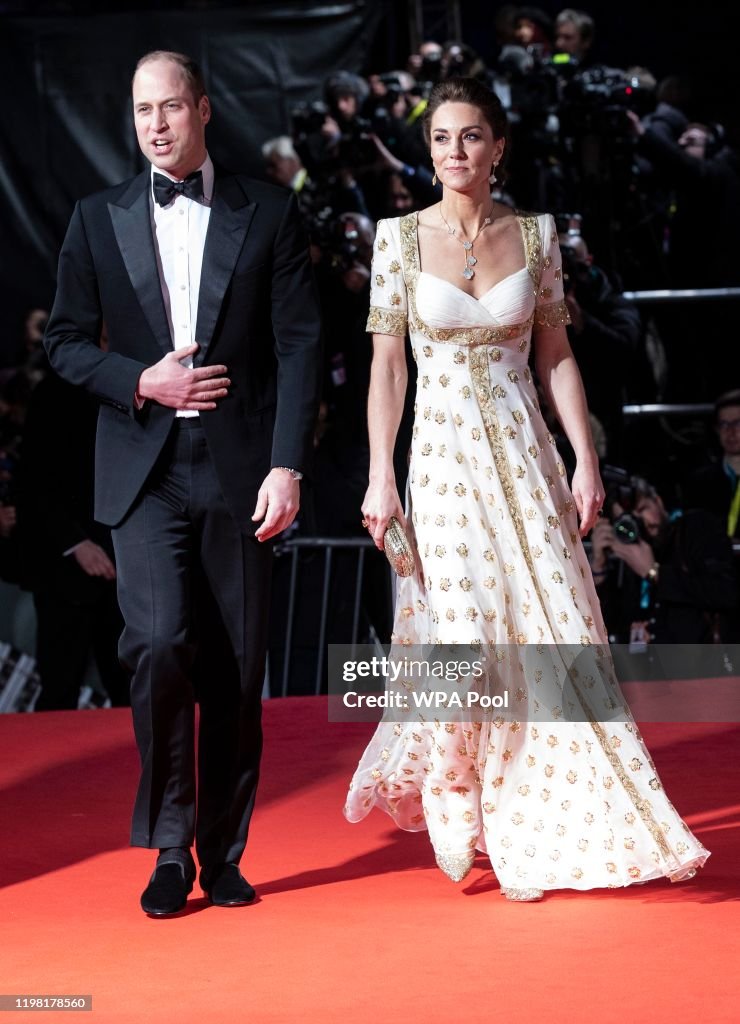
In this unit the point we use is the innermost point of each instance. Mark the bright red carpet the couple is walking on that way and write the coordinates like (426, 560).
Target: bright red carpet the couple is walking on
(355, 923)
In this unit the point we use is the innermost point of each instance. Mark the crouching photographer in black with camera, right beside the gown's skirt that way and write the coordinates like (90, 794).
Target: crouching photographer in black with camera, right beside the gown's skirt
(663, 579)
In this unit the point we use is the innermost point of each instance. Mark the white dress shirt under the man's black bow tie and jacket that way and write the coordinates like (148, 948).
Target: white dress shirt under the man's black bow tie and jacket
(180, 233)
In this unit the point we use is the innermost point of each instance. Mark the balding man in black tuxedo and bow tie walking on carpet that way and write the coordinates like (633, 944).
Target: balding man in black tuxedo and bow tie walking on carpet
(210, 392)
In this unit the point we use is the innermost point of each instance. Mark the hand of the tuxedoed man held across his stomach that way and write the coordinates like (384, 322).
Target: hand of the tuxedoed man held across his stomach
(171, 385)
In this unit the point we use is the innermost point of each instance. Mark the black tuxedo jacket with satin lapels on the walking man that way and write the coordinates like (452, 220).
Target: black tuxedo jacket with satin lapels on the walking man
(257, 315)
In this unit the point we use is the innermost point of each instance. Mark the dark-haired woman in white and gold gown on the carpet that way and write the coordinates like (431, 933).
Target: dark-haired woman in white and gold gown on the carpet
(556, 804)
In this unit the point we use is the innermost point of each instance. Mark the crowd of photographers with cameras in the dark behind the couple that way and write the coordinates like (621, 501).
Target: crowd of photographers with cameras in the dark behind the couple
(645, 196)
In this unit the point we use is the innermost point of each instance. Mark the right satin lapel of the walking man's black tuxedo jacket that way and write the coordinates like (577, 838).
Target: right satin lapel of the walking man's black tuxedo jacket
(232, 216)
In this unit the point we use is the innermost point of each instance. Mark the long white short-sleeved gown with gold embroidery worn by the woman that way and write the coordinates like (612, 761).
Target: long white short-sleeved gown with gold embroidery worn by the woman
(556, 803)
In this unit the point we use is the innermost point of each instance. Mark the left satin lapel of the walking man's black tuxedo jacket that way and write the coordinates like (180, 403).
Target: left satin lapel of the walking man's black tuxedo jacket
(133, 225)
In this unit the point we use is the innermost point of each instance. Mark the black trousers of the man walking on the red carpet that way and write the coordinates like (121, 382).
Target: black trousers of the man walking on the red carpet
(194, 590)
